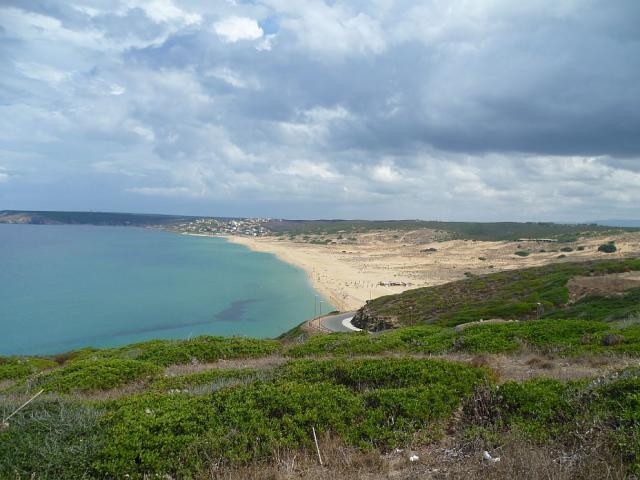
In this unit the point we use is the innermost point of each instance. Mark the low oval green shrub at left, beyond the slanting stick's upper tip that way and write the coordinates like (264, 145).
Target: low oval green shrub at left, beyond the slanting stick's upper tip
(98, 374)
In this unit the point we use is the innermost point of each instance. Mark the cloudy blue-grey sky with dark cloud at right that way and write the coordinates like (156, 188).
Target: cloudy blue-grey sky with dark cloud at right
(442, 109)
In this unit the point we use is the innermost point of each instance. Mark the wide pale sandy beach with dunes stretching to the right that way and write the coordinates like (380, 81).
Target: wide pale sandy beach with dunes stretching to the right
(383, 263)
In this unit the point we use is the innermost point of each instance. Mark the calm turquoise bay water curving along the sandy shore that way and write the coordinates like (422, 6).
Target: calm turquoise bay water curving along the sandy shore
(66, 287)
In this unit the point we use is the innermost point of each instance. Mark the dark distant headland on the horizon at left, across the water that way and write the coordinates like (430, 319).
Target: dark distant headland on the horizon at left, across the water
(89, 218)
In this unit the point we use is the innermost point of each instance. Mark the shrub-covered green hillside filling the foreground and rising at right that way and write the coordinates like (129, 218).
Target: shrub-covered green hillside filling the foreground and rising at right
(553, 398)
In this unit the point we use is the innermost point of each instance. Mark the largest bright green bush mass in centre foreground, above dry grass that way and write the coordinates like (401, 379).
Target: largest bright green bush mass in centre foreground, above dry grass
(367, 403)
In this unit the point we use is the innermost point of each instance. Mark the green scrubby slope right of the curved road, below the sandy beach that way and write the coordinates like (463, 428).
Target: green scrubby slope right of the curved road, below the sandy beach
(513, 295)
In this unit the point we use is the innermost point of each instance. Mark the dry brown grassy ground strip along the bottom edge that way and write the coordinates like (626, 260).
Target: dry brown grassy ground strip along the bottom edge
(452, 458)
